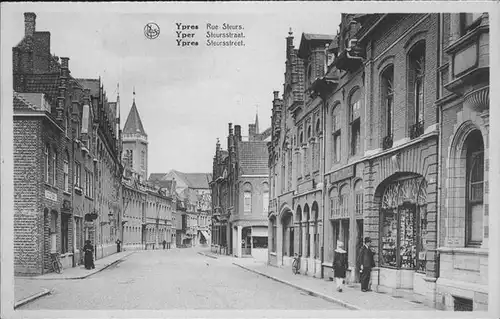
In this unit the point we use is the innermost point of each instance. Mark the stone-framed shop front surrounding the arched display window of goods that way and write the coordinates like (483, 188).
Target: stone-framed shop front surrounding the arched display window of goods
(400, 214)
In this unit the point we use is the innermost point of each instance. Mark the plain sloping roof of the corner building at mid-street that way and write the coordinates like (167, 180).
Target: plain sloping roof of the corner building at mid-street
(253, 158)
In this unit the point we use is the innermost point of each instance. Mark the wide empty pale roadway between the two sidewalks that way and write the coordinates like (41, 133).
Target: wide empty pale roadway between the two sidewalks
(177, 279)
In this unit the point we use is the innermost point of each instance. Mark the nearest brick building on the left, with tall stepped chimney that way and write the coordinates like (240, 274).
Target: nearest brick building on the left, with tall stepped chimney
(48, 104)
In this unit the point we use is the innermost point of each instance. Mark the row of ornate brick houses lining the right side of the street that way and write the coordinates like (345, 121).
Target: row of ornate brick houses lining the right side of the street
(382, 131)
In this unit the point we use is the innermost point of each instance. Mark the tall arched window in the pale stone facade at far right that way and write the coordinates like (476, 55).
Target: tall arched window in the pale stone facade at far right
(475, 189)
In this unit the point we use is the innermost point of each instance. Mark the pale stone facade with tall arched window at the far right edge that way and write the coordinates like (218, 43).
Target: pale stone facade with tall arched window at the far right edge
(463, 107)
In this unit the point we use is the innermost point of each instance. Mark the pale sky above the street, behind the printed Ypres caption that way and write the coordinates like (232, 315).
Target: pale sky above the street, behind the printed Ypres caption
(186, 96)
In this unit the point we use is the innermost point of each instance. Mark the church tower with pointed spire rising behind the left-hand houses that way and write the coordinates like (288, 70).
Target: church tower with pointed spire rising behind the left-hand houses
(135, 145)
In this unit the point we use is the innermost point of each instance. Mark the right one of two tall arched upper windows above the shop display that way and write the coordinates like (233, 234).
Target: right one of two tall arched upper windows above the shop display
(416, 80)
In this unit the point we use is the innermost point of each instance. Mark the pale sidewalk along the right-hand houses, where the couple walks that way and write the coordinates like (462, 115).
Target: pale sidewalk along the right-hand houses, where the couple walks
(351, 298)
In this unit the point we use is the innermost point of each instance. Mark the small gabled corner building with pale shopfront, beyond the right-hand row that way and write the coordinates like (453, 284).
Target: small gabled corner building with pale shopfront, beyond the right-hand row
(240, 192)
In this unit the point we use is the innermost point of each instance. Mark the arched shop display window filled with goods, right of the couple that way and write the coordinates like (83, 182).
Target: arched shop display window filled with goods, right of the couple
(403, 208)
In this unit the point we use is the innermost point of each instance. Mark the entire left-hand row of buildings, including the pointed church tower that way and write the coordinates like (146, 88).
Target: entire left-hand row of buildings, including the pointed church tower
(78, 176)
